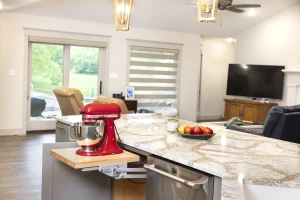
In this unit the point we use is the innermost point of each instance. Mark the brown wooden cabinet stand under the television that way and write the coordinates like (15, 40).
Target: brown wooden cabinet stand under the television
(247, 110)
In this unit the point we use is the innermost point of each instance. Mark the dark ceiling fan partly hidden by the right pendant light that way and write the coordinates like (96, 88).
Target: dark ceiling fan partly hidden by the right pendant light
(227, 5)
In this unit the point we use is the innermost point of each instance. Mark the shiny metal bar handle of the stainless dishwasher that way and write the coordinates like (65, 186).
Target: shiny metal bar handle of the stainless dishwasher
(193, 184)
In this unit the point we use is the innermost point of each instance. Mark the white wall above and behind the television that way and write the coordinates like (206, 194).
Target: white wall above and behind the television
(274, 41)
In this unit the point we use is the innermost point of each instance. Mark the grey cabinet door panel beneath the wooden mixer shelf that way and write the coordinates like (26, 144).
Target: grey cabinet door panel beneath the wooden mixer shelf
(61, 182)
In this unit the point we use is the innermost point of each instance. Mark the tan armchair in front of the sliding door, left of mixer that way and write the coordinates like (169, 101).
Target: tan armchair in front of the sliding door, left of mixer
(69, 100)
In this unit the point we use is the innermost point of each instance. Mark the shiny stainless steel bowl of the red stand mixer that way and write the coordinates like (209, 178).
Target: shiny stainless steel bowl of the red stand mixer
(88, 136)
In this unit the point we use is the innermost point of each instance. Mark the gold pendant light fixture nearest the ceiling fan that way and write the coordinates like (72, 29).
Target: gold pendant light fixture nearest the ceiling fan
(207, 10)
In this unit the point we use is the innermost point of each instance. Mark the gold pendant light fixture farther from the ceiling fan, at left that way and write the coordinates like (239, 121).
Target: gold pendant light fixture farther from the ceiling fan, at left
(122, 14)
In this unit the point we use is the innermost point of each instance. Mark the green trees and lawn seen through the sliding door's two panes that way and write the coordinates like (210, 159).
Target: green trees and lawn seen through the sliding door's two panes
(47, 68)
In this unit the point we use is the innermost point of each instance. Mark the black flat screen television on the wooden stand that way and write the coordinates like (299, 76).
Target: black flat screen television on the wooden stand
(262, 81)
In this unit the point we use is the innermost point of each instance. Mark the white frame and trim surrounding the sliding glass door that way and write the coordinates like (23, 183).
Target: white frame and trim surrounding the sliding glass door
(71, 39)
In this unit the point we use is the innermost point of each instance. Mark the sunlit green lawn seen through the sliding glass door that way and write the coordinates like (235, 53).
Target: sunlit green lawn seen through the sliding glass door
(87, 84)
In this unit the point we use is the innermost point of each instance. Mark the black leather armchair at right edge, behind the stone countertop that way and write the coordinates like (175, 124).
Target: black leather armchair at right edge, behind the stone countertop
(283, 123)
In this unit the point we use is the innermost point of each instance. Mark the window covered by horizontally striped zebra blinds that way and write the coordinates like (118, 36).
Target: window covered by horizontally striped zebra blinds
(153, 74)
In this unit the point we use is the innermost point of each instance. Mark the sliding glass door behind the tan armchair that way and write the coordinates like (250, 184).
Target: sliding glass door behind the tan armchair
(55, 65)
